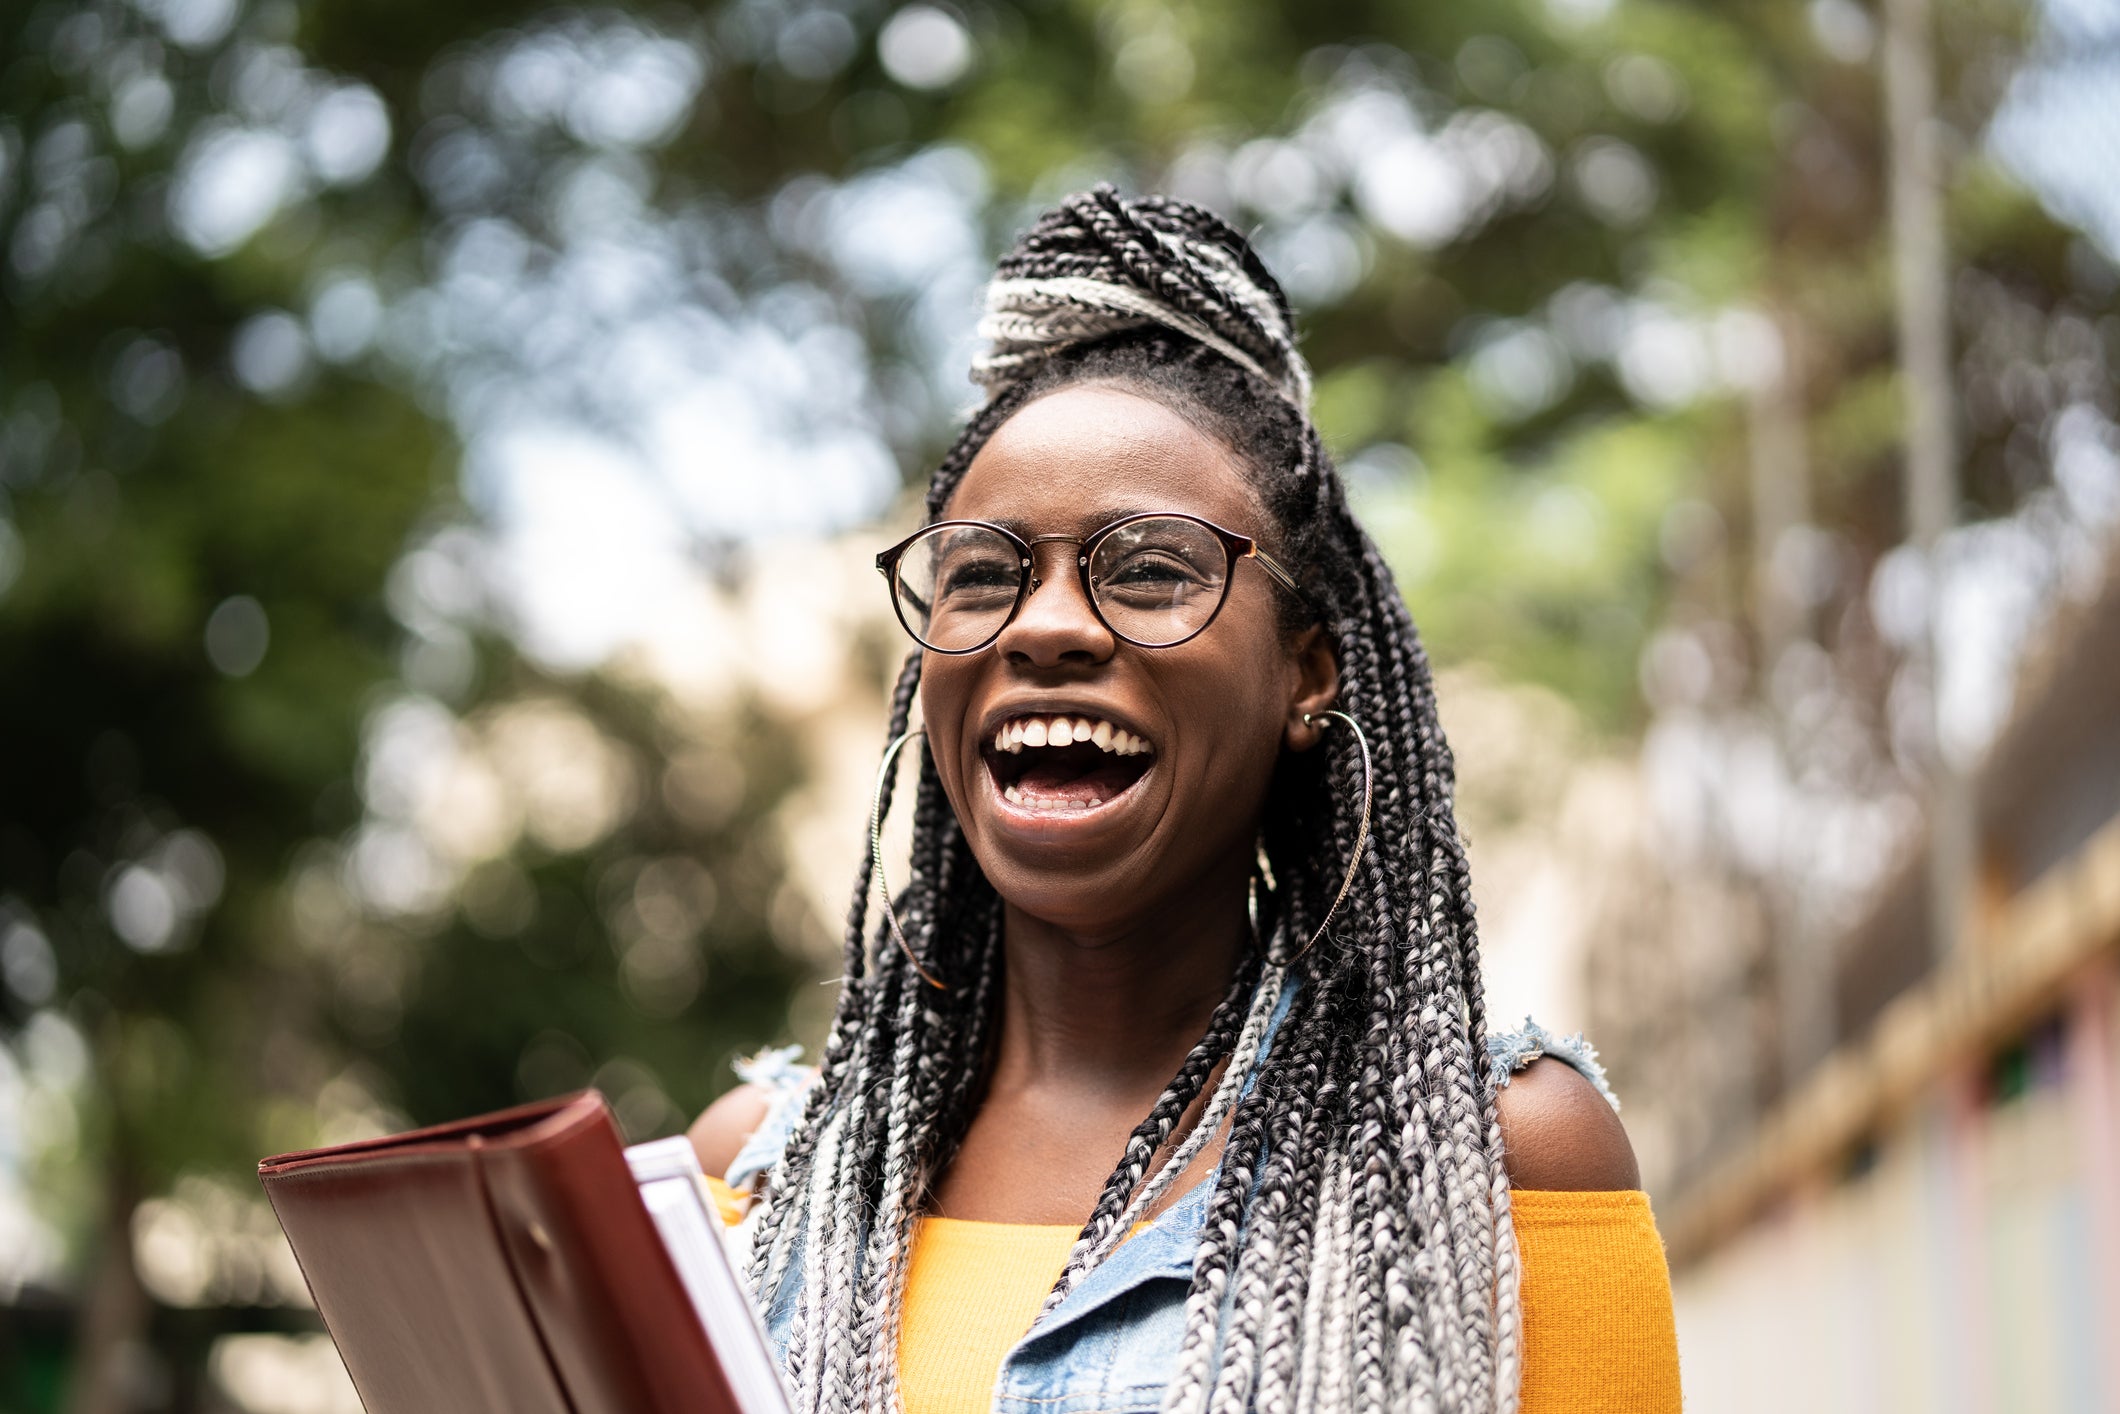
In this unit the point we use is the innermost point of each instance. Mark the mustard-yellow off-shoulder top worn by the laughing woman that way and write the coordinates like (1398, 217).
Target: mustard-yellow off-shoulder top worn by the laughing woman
(1597, 1305)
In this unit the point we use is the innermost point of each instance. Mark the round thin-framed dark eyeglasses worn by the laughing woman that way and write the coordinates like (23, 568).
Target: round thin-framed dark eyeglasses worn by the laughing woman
(1154, 580)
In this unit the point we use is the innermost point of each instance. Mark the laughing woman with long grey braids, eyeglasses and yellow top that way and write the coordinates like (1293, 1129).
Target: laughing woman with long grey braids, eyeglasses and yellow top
(1167, 1082)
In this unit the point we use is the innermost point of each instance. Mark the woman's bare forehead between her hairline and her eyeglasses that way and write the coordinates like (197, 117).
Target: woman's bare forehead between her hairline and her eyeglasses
(1082, 457)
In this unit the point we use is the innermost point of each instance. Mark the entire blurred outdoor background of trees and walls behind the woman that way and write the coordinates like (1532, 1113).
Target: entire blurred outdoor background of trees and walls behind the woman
(440, 667)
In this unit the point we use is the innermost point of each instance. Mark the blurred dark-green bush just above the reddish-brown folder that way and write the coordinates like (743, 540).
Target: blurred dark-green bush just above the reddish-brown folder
(643, 964)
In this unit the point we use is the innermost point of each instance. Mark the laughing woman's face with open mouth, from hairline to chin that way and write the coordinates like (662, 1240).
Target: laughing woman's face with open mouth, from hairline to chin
(1101, 834)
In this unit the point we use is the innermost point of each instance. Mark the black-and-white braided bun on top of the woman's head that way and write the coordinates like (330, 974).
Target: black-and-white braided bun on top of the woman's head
(1101, 264)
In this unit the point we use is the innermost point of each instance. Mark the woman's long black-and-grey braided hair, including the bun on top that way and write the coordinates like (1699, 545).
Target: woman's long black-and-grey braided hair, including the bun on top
(1358, 1248)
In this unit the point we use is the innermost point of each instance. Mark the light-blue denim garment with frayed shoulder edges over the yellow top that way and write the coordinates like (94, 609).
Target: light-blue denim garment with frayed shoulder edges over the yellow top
(1112, 1345)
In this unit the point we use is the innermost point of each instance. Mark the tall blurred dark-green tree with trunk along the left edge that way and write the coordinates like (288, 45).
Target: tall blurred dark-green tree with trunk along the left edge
(190, 626)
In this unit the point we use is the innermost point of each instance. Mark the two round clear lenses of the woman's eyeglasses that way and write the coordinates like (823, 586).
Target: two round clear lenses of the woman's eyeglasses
(1154, 582)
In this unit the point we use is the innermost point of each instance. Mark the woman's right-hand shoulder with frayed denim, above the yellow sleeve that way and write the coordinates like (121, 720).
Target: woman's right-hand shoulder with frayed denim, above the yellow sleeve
(1559, 1118)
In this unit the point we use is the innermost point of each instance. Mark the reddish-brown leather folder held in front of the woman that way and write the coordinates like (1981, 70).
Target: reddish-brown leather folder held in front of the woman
(497, 1267)
